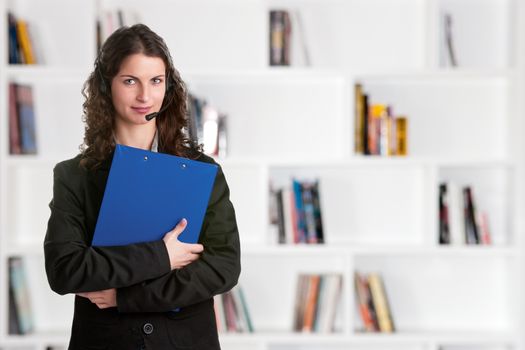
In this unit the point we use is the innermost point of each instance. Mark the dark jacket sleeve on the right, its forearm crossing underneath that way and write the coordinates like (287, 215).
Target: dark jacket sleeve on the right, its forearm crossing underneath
(216, 271)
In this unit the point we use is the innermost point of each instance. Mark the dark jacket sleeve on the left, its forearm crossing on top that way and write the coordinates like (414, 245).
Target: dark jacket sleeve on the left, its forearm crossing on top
(72, 265)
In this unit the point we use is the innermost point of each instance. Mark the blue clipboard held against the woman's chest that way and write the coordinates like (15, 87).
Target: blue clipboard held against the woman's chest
(148, 193)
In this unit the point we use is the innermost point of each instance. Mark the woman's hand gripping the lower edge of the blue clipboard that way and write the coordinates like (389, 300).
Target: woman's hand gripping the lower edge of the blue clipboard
(181, 254)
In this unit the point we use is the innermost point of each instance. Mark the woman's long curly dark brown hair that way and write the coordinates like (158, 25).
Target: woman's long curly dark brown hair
(98, 109)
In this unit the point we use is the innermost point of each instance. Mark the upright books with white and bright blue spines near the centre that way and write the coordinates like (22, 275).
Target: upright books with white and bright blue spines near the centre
(296, 211)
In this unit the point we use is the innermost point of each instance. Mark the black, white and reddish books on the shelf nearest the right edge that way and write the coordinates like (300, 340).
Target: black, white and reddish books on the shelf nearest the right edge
(460, 221)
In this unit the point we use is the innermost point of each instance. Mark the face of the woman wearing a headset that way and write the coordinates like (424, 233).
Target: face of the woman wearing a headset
(138, 88)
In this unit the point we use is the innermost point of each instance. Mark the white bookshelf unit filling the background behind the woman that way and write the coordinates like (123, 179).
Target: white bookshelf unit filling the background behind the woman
(379, 214)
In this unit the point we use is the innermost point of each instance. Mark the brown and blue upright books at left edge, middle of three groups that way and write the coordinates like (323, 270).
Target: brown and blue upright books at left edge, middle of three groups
(22, 130)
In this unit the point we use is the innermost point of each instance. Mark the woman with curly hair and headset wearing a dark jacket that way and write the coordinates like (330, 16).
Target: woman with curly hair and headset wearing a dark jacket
(124, 295)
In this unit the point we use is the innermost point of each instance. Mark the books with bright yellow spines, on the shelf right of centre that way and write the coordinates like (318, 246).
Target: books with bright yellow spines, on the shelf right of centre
(377, 130)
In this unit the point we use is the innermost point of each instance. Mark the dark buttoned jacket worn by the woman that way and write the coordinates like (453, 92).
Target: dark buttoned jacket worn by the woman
(146, 288)
